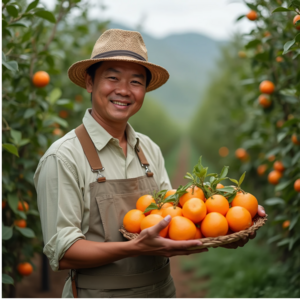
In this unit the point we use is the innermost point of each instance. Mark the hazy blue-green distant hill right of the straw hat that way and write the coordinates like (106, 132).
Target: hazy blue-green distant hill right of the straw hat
(189, 58)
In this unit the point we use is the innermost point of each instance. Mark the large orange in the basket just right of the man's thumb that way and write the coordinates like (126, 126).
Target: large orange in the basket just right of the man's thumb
(181, 228)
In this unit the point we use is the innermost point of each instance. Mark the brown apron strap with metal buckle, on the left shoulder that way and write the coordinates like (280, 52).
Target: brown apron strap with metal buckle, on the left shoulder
(90, 151)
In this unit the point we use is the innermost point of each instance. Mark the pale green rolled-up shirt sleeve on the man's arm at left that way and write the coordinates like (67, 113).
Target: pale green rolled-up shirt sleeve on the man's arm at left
(60, 204)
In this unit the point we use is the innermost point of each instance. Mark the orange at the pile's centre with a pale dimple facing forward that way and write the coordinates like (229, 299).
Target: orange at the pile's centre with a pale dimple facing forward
(194, 209)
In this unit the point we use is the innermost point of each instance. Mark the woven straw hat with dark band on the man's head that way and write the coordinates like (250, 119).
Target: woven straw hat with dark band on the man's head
(119, 45)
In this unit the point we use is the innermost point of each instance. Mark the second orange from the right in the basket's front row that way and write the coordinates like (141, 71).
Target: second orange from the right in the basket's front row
(214, 224)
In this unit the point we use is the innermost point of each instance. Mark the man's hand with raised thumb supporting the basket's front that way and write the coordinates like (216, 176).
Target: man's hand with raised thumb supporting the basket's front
(150, 243)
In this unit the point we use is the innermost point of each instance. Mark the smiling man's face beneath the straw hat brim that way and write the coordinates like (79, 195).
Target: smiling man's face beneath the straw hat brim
(118, 90)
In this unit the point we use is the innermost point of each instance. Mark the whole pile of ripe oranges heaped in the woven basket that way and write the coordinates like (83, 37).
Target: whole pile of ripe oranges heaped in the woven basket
(195, 217)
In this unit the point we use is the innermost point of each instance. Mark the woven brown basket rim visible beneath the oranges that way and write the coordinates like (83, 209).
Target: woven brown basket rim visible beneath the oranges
(216, 241)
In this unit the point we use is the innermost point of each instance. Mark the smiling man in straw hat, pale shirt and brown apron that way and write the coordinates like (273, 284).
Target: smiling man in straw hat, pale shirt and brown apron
(91, 177)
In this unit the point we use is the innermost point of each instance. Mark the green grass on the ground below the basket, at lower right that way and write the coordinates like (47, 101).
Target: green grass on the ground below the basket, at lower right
(253, 271)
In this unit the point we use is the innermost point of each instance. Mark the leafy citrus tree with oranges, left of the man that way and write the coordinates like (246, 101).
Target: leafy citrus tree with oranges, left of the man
(37, 104)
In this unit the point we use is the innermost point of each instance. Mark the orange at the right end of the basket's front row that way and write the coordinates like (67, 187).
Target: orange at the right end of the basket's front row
(238, 218)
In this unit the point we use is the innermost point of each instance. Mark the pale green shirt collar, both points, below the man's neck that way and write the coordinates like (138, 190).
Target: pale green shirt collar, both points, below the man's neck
(101, 137)
